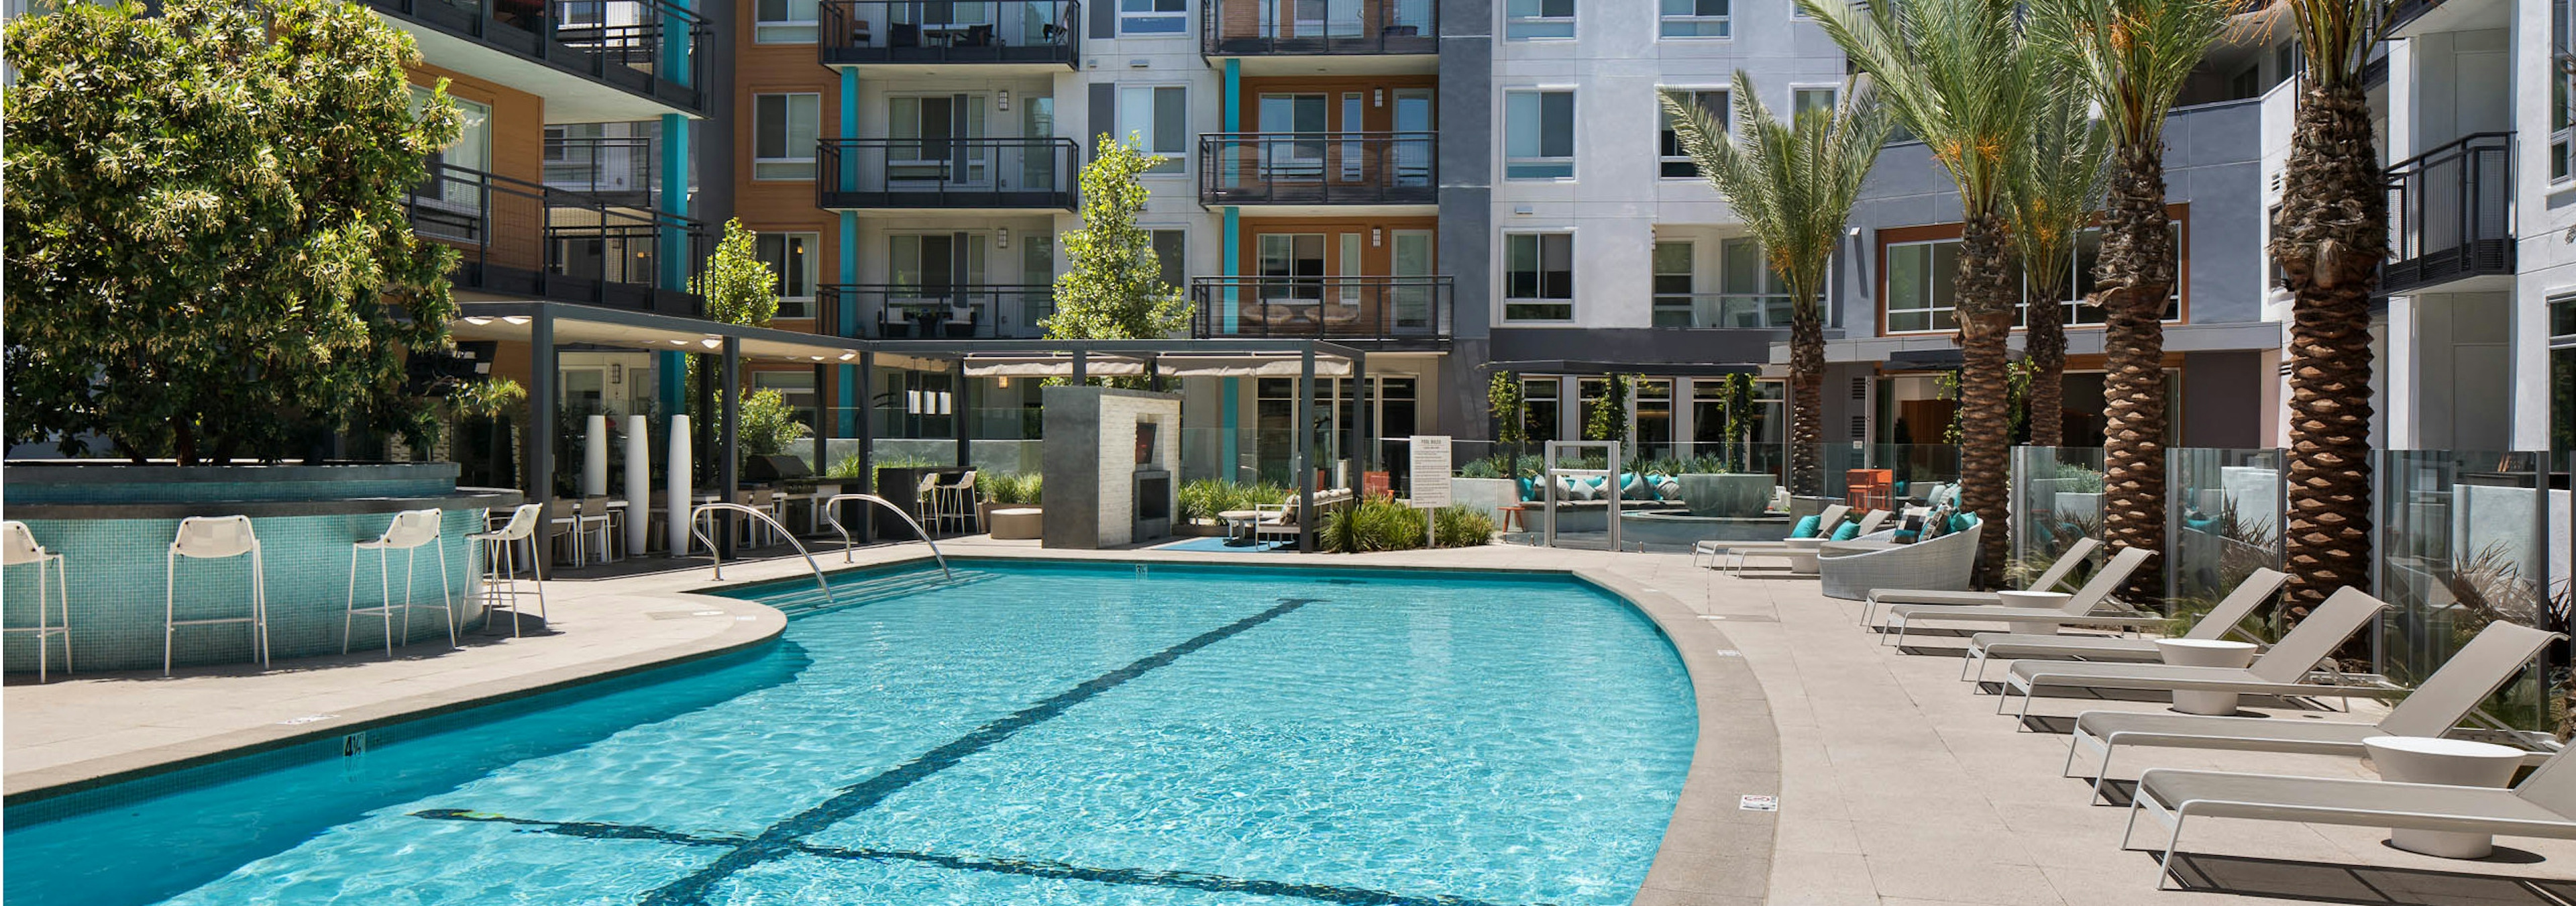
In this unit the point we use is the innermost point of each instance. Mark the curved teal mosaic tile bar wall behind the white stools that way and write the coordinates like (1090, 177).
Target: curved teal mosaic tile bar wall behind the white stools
(115, 573)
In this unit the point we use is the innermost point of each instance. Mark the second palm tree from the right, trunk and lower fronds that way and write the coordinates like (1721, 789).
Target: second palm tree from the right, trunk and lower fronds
(2129, 58)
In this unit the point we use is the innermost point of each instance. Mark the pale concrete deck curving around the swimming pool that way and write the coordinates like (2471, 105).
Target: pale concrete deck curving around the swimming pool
(1897, 784)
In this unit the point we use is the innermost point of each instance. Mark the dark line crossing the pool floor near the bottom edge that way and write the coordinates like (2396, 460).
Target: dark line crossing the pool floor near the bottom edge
(996, 866)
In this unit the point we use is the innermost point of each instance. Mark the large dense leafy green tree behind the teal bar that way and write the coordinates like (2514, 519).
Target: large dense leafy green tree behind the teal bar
(207, 248)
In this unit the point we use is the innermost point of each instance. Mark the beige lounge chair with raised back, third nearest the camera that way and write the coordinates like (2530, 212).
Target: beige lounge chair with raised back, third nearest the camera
(2286, 670)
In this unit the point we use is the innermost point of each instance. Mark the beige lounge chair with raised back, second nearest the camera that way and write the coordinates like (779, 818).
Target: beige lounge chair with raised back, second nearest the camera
(2433, 709)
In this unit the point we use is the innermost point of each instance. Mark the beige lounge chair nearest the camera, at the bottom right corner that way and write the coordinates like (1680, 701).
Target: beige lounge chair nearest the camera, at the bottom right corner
(2541, 804)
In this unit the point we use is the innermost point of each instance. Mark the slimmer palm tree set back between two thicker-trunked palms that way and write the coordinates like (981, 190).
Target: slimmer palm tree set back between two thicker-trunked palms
(2054, 194)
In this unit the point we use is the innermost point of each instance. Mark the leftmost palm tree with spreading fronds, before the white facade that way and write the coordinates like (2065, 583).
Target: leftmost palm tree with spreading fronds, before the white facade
(1794, 184)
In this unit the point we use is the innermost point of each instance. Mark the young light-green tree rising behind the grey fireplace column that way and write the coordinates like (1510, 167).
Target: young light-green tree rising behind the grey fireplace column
(1112, 284)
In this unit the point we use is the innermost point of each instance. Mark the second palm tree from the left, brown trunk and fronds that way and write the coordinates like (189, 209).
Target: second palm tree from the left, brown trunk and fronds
(1962, 79)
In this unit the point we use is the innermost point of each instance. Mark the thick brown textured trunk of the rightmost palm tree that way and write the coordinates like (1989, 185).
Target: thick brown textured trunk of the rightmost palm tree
(2330, 238)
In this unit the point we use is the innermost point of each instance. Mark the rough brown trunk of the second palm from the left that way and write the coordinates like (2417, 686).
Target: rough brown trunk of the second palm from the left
(1985, 323)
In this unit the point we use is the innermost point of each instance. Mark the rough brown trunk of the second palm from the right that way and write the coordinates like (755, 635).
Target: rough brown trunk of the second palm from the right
(2139, 277)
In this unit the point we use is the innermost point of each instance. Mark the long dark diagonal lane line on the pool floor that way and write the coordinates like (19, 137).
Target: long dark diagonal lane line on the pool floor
(790, 835)
